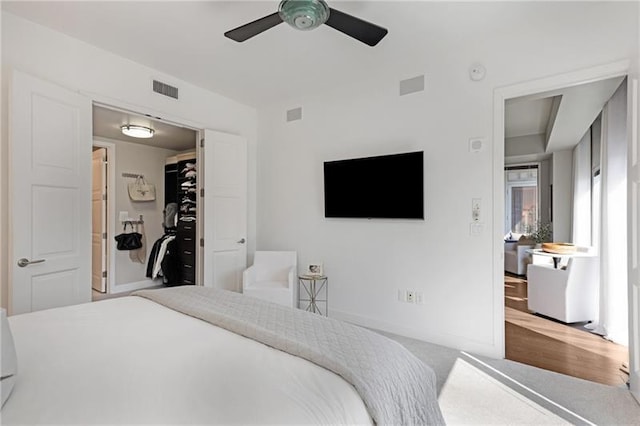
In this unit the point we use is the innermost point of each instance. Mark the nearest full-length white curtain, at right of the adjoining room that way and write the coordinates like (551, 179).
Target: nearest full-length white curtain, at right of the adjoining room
(612, 319)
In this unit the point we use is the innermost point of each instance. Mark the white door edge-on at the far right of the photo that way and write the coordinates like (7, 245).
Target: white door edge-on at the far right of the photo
(634, 237)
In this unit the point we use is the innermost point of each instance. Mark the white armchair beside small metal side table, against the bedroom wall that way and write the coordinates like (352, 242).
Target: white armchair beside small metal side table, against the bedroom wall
(272, 277)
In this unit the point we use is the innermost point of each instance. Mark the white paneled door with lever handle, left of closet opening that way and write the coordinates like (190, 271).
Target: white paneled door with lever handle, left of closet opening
(50, 196)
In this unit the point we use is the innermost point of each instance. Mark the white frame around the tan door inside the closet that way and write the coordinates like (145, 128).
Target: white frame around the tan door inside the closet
(111, 209)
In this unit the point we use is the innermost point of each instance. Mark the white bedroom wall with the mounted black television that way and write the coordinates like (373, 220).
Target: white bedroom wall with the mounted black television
(367, 261)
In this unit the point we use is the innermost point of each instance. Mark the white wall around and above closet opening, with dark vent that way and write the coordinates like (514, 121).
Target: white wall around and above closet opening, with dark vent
(112, 79)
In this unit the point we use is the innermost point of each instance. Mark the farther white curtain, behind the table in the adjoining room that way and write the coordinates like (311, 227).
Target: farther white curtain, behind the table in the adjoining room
(581, 221)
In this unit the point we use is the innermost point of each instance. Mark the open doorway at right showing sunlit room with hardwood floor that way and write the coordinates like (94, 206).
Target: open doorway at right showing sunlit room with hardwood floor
(557, 130)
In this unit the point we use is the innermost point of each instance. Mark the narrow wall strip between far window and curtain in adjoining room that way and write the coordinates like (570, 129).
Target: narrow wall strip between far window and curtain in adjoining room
(562, 164)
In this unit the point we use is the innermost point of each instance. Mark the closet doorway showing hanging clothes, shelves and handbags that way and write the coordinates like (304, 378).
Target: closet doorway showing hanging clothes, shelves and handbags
(118, 272)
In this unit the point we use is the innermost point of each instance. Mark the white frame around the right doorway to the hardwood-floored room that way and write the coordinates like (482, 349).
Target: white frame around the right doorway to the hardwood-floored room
(501, 94)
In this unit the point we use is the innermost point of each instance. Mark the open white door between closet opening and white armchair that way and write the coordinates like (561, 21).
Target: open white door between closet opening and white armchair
(225, 209)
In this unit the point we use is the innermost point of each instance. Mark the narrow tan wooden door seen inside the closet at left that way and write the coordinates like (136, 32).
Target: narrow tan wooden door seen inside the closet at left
(99, 221)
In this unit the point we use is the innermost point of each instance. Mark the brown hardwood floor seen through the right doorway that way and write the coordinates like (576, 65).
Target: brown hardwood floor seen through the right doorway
(552, 345)
